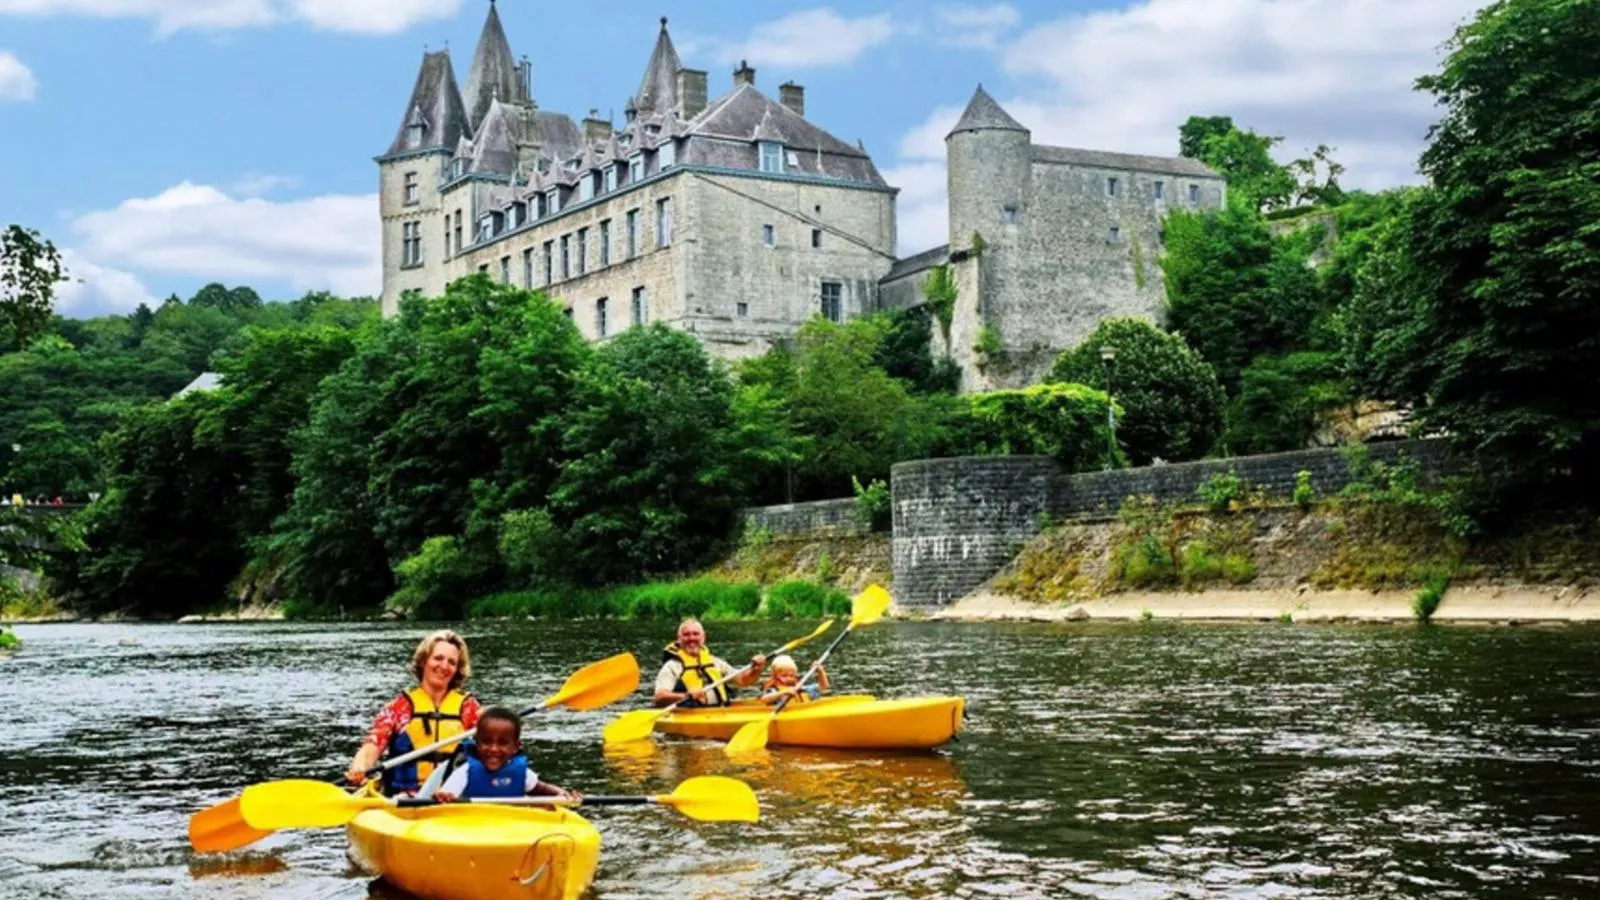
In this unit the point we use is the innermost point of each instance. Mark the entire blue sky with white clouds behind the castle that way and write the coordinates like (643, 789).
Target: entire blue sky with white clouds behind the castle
(164, 145)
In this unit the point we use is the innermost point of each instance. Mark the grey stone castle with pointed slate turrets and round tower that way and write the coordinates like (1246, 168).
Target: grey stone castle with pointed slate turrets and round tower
(738, 220)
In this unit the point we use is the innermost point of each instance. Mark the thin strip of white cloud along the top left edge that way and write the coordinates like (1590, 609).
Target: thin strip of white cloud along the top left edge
(364, 17)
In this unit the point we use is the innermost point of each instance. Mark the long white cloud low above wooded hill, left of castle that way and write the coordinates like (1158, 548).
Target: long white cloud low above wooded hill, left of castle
(329, 243)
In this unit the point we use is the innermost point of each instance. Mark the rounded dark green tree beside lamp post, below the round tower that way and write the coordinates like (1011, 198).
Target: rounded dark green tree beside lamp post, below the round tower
(1172, 400)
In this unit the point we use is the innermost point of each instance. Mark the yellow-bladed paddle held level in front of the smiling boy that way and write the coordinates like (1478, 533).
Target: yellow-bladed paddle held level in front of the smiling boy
(319, 805)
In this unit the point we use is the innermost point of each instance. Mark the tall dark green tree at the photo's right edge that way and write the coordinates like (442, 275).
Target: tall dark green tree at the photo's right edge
(1498, 299)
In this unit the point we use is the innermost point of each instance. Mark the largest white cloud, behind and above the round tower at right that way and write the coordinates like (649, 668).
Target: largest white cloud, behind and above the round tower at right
(1335, 73)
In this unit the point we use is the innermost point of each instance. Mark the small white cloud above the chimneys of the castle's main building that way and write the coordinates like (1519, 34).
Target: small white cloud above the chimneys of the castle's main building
(809, 39)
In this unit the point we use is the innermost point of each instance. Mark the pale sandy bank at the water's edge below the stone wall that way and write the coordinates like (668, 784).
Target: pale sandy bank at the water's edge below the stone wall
(1471, 605)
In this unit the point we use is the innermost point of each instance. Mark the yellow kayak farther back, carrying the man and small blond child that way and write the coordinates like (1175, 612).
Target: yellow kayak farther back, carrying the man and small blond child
(847, 723)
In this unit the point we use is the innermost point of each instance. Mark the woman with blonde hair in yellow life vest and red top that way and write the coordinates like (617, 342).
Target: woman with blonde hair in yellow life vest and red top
(434, 710)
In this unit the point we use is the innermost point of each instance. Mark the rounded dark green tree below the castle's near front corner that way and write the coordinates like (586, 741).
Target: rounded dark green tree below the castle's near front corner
(650, 483)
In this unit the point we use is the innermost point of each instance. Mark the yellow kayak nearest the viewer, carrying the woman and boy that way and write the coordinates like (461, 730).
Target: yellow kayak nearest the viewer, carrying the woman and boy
(478, 853)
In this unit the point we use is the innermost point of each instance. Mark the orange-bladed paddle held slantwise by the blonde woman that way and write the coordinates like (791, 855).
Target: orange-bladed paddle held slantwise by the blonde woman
(223, 827)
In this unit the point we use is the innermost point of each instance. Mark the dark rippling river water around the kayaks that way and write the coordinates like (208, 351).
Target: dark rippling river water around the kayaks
(1134, 761)
